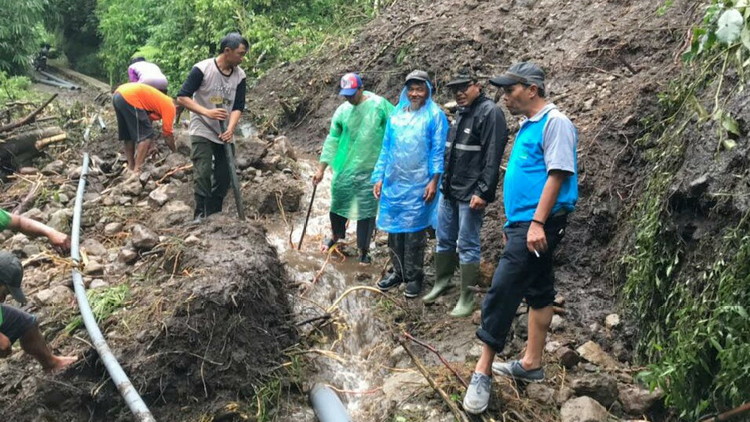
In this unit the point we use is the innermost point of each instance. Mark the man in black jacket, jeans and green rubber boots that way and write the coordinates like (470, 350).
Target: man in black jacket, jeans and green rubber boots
(473, 151)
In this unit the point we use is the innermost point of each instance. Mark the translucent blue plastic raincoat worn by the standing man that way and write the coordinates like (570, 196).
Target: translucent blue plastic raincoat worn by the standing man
(412, 153)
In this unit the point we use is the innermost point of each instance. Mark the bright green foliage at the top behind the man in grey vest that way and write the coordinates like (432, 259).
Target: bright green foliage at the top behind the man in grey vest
(179, 33)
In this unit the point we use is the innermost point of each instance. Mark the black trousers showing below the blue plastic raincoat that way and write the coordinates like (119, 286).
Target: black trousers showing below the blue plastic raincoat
(407, 254)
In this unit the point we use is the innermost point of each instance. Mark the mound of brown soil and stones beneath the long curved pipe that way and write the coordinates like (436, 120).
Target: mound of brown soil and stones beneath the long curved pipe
(206, 318)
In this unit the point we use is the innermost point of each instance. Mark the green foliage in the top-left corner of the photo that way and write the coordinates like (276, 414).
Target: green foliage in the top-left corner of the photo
(20, 33)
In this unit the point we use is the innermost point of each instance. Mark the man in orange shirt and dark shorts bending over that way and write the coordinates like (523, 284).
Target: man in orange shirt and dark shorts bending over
(136, 105)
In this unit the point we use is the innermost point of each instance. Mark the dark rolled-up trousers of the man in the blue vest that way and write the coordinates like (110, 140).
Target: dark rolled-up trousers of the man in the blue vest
(519, 274)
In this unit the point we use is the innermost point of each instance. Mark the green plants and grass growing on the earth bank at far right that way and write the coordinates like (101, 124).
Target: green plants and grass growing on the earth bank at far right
(694, 328)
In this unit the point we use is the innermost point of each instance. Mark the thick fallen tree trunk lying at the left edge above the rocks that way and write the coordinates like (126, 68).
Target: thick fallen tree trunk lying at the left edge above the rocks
(18, 150)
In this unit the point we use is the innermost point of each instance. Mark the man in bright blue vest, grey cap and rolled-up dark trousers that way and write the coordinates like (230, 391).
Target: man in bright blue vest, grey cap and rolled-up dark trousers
(539, 191)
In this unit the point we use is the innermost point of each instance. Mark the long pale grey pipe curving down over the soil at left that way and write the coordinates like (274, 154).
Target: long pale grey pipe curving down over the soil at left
(128, 392)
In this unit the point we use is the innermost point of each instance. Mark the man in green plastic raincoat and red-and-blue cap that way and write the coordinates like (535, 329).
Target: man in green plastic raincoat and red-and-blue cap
(351, 150)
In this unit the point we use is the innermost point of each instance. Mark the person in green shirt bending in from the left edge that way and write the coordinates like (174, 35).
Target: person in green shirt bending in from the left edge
(16, 324)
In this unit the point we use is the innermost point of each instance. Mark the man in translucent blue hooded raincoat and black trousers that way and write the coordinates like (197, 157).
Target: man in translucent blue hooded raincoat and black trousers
(406, 179)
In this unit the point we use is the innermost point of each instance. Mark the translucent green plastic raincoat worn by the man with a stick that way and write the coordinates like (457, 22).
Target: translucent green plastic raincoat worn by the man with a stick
(351, 150)
